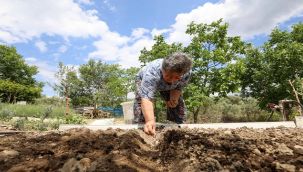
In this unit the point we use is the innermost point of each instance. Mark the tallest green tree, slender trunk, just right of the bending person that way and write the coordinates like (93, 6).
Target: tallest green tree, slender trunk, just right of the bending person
(217, 64)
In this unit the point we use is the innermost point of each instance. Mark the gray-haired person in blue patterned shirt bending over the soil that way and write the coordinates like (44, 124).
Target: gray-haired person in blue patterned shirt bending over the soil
(168, 76)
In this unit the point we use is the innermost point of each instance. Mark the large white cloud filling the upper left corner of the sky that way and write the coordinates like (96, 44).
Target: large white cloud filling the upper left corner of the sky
(21, 21)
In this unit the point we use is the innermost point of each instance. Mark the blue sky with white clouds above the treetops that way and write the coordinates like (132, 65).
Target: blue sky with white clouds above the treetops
(46, 32)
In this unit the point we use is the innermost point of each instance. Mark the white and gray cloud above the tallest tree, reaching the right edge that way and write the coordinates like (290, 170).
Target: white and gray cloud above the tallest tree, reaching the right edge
(247, 18)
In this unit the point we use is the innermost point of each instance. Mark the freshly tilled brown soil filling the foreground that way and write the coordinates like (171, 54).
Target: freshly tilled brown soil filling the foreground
(244, 149)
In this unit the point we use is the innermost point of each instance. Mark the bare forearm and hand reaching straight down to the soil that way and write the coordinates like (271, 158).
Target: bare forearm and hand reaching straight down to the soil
(149, 116)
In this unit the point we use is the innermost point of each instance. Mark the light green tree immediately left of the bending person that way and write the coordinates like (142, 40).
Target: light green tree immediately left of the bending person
(103, 82)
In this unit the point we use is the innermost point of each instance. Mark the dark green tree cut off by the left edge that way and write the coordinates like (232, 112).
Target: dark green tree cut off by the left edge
(16, 77)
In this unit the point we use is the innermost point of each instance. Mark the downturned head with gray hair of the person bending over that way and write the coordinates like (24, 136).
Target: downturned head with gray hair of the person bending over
(174, 66)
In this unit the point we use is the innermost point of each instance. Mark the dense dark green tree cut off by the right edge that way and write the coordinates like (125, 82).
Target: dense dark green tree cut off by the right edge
(269, 69)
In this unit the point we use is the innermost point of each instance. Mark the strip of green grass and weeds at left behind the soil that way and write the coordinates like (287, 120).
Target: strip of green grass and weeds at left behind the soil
(42, 112)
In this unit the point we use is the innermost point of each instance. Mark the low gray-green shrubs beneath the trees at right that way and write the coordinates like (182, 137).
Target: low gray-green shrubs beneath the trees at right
(232, 109)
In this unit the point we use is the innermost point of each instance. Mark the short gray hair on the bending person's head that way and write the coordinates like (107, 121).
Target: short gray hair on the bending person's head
(178, 62)
